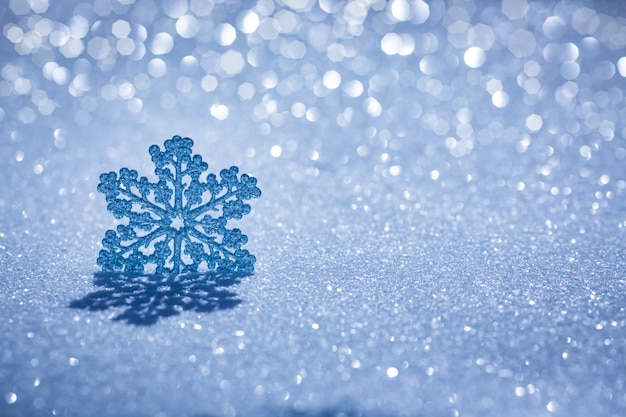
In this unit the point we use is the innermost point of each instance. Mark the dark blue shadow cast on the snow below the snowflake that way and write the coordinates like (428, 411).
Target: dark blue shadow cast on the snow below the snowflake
(144, 298)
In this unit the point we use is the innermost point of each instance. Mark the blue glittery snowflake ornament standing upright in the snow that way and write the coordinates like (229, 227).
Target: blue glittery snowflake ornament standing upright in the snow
(177, 224)
